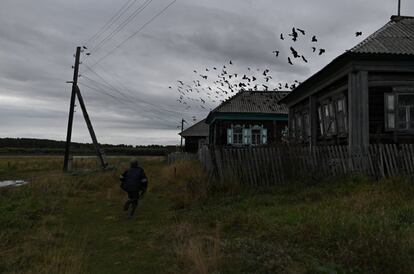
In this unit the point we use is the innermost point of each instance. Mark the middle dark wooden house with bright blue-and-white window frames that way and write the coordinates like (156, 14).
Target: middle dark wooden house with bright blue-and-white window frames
(249, 118)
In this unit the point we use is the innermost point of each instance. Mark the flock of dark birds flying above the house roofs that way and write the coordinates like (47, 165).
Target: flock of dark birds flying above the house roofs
(213, 85)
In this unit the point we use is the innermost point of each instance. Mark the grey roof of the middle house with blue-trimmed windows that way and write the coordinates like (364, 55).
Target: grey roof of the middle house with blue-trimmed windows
(247, 101)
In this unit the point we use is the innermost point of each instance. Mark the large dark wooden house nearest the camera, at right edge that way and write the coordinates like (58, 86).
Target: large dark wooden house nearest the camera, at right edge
(364, 96)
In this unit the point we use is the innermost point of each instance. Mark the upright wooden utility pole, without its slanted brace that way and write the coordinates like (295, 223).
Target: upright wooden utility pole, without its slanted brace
(71, 109)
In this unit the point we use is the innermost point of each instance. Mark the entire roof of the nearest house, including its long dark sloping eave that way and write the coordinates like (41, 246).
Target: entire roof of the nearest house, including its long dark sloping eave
(396, 38)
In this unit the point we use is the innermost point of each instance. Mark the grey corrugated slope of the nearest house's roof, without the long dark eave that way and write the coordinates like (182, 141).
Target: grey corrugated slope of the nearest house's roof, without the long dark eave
(396, 37)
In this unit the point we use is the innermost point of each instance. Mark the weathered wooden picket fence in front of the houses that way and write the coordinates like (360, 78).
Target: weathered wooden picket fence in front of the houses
(280, 165)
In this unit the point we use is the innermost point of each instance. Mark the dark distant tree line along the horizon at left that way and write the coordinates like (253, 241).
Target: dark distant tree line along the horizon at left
(11, 146)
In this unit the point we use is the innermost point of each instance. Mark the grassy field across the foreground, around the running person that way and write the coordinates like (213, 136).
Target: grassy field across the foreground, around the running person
(73, 223)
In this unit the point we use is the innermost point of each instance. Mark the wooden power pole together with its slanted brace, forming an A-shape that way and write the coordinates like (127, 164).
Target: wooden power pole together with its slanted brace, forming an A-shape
(76, 92)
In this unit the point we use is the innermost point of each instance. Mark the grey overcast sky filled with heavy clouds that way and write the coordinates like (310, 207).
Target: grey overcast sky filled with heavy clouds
(38, 40)
